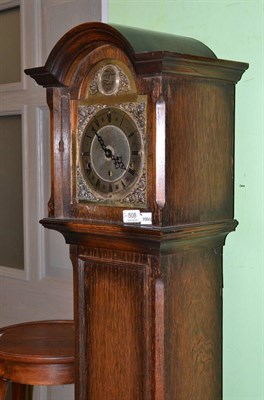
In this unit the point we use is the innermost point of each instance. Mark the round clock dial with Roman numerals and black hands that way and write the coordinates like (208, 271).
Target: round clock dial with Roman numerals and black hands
(111, 153)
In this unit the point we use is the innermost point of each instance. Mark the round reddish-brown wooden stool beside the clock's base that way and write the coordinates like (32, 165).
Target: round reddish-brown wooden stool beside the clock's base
(36, 353)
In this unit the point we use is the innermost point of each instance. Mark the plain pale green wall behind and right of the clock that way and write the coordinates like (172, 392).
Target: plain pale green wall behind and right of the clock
(234, 31)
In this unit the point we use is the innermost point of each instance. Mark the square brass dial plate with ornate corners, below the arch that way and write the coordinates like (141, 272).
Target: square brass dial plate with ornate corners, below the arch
(111, 162)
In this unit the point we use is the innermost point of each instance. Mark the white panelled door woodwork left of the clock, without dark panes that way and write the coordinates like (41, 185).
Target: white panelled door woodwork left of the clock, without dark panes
(43, 290)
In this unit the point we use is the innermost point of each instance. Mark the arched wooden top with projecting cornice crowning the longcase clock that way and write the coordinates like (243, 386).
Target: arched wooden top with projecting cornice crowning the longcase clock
(149, 51)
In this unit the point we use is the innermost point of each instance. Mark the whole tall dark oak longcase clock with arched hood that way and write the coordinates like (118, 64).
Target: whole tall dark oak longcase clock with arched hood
(142, 129)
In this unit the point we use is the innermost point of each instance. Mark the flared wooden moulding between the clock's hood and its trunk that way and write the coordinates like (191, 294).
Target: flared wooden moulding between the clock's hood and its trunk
(143, 239)
